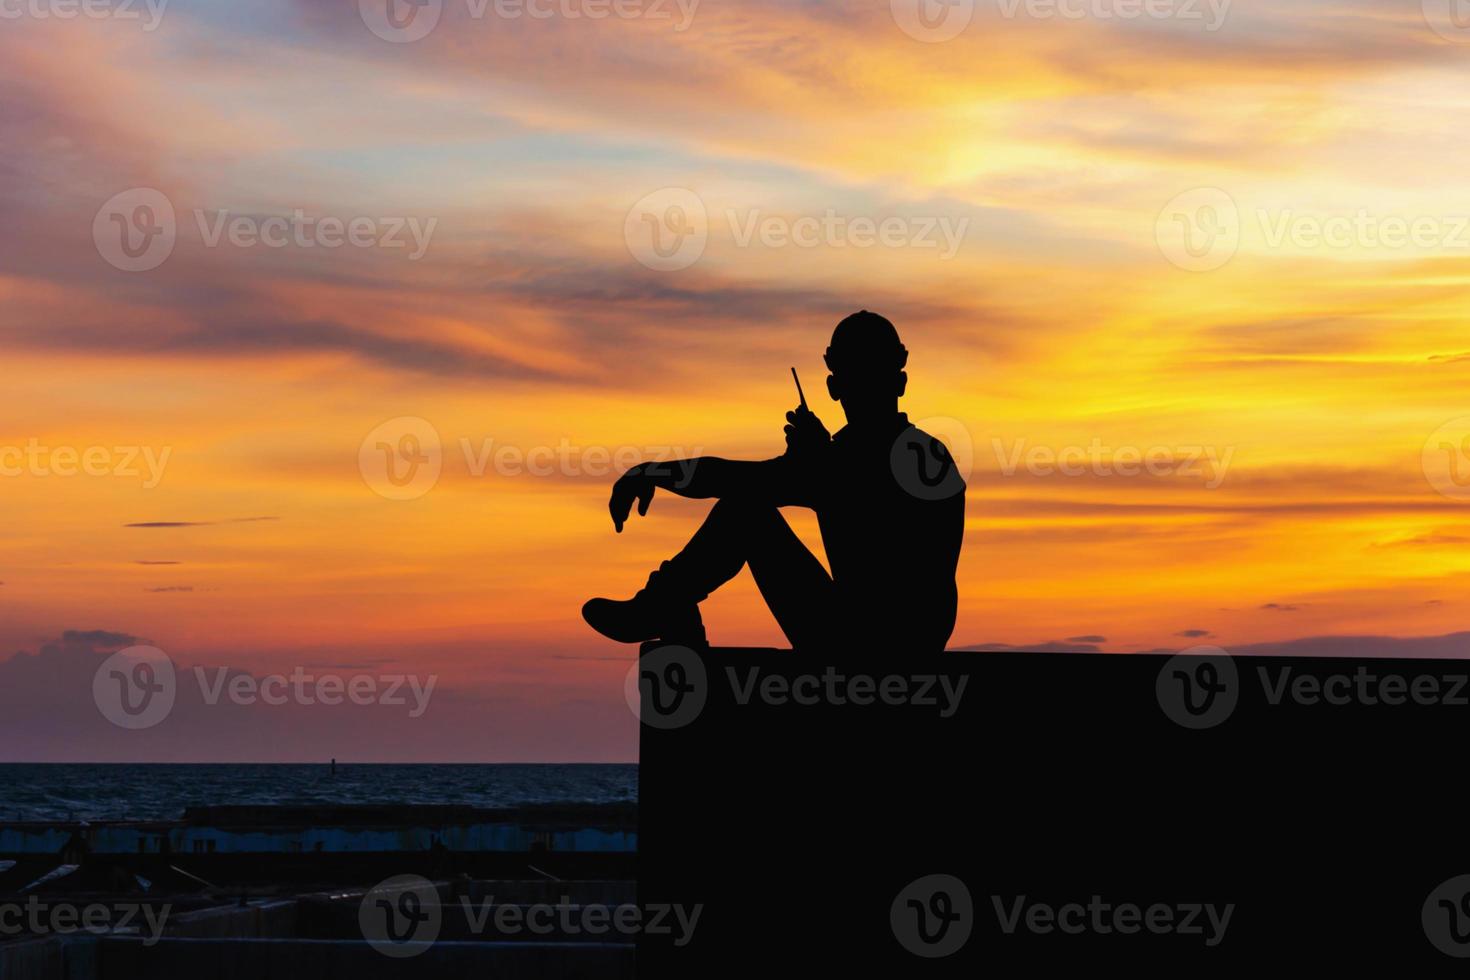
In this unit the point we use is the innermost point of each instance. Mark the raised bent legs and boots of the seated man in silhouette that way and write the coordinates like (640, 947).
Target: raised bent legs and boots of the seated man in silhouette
(790, 578)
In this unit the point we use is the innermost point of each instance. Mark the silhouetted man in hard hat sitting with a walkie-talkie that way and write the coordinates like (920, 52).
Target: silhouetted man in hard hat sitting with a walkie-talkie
(887, 496)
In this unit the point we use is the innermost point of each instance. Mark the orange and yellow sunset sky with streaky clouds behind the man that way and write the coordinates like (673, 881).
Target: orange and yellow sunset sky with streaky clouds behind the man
(1315, 371)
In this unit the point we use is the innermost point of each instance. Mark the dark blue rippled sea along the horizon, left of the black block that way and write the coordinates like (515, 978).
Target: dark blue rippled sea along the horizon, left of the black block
(162, 793)
